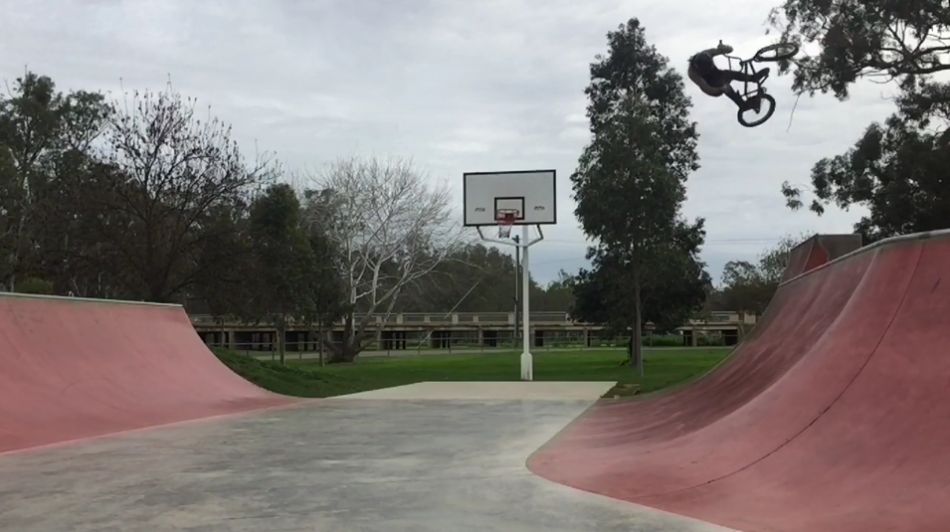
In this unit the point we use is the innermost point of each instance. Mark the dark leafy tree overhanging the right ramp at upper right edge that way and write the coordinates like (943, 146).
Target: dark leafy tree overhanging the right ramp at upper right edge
(896, 169)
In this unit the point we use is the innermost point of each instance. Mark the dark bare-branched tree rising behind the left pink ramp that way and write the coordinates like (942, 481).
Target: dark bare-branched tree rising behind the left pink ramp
(173, 170)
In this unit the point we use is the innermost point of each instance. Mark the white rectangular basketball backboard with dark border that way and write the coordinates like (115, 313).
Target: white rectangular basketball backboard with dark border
(529, 193)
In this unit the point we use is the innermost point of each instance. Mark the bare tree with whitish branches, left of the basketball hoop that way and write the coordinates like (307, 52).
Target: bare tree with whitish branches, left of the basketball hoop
(390, 228)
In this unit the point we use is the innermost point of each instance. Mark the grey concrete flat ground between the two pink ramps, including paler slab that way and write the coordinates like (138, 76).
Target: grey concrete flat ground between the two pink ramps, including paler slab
(434, 461)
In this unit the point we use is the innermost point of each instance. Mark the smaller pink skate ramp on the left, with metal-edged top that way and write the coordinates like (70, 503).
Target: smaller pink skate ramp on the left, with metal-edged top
(74, 368)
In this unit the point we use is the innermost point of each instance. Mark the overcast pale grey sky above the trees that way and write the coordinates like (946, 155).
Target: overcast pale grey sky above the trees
(456, 85)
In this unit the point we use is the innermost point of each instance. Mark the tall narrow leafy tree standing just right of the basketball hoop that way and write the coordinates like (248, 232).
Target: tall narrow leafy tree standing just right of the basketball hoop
(630, 180)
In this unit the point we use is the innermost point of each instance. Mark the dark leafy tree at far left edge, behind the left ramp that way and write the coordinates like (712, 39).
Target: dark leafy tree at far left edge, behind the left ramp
(45, 139)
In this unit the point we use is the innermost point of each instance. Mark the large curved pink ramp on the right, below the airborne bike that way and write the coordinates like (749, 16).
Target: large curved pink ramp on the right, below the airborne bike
(834, 415)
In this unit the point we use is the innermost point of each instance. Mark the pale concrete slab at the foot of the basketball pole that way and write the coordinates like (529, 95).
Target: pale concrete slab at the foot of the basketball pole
(486, 391)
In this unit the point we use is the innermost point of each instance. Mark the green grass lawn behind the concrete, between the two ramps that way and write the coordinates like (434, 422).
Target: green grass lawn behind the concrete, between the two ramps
(306, 378)
